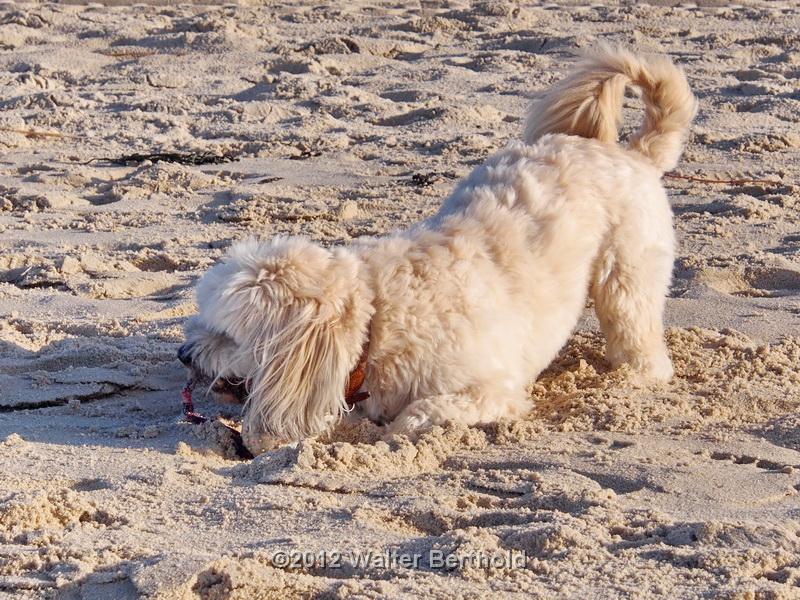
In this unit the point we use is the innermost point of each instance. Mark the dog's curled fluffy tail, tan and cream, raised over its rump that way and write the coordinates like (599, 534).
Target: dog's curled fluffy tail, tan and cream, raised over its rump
(588, 103)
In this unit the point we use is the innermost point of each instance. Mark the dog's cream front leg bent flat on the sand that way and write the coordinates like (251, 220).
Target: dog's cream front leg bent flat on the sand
(464, 409)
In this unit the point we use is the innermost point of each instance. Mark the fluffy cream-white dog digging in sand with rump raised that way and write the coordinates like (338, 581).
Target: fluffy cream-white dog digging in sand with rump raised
(450, 320)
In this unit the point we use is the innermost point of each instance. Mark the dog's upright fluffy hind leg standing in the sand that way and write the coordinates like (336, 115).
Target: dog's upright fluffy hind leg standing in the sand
(629, 286)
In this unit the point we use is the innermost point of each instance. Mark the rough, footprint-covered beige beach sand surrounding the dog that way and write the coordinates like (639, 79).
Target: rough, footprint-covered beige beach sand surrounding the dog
(352, 119)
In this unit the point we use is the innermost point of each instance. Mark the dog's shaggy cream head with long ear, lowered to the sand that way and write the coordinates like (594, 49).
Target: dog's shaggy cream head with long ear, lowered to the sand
(281, 325)
